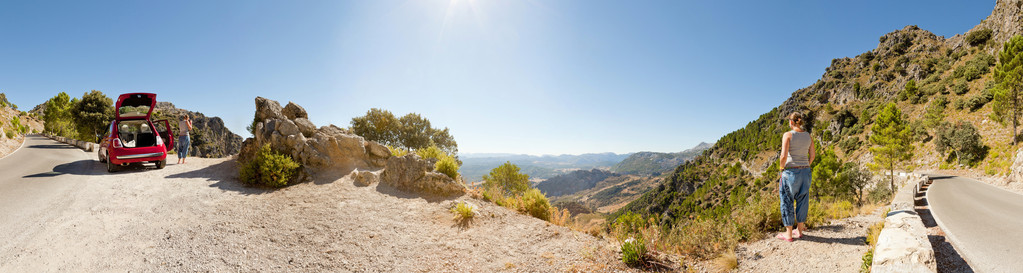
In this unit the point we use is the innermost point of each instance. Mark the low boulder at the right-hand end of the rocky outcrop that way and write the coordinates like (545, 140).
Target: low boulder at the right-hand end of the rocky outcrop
(413, 174)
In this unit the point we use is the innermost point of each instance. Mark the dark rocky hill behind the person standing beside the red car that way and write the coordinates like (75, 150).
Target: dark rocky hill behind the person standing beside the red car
(210, 139)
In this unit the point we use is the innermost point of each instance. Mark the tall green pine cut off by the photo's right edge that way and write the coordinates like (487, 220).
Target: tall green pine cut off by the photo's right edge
(1009, 80)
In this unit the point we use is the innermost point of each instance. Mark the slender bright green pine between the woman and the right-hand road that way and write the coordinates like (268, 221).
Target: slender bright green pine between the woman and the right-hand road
(893, 142)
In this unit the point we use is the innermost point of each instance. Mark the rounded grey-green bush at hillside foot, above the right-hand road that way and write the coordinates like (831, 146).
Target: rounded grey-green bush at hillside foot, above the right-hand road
(963, 140)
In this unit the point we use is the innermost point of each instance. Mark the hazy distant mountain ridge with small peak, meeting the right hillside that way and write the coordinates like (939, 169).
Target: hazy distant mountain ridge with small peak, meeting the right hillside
(650, 163)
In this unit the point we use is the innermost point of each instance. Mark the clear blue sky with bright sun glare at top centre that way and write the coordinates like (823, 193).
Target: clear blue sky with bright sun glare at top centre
(520, 77)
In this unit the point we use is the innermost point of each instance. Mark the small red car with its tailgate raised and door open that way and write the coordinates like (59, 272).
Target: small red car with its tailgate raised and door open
(132, 139)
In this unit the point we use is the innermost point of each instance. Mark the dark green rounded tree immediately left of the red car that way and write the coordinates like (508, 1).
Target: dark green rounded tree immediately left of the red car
(93, 114)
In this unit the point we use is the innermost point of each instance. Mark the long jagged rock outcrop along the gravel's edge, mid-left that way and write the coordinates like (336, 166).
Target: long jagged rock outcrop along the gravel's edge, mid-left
(331, 149)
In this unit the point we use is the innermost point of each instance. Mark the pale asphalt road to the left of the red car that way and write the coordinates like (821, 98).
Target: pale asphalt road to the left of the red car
(36, 185)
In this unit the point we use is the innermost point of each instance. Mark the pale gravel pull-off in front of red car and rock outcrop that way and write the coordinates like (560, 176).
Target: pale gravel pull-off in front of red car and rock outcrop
(197, 217)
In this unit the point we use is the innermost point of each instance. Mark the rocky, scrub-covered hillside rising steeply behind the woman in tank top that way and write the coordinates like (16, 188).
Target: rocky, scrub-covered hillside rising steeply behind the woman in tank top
(741, 167)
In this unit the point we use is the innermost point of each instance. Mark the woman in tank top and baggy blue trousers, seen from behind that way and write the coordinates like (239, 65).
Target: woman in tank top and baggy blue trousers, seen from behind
(794, 186)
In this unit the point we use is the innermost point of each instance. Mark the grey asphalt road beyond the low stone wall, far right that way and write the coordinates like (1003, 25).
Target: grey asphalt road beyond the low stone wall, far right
(984, 222)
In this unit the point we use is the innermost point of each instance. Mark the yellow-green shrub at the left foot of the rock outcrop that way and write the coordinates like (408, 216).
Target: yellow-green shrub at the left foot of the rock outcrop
(270, 168)
